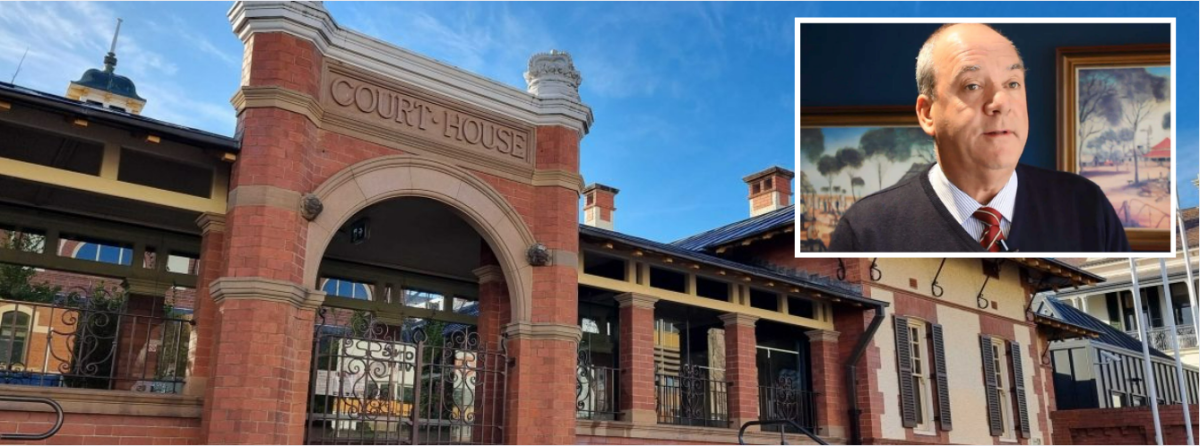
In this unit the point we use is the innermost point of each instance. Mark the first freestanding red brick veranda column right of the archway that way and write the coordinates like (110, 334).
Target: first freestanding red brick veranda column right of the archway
(637, 322)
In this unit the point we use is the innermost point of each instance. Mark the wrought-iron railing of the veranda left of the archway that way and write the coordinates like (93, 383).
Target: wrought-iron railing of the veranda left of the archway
(97, 342)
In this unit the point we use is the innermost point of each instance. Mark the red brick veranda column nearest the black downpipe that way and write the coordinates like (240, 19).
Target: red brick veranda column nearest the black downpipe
(827, 383)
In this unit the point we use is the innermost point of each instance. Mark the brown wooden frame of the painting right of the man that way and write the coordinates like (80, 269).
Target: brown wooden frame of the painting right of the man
(1069, 62)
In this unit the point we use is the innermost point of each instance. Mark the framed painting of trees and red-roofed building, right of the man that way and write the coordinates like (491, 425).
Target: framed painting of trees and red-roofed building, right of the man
(1114, 112)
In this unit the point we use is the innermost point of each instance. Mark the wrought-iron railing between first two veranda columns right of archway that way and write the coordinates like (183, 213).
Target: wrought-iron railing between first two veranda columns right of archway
(691, 399)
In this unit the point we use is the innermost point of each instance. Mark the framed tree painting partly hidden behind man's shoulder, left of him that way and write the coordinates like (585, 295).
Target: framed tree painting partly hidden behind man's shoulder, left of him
(849, 153)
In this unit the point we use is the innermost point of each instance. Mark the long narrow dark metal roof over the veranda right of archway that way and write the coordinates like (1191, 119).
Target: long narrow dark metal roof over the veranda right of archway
(793, 278)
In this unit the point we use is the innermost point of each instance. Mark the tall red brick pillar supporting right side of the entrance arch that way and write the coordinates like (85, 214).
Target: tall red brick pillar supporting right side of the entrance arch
(545, 347)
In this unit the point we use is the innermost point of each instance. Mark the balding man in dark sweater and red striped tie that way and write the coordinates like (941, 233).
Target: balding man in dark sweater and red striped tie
(977, 197)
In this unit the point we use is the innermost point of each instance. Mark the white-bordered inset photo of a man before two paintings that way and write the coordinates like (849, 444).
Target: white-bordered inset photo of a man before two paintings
(956, 138)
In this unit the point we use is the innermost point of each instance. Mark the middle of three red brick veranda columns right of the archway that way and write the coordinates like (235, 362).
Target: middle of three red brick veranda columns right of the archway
(741, 369)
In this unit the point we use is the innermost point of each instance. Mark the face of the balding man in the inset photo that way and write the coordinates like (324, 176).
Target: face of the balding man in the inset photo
(980, 119)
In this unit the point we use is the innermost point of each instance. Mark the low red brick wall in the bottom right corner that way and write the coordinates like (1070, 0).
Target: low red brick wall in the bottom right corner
(1126, 426)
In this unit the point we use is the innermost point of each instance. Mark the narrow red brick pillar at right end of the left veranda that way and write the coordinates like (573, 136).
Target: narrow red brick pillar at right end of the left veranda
(213, 237)
